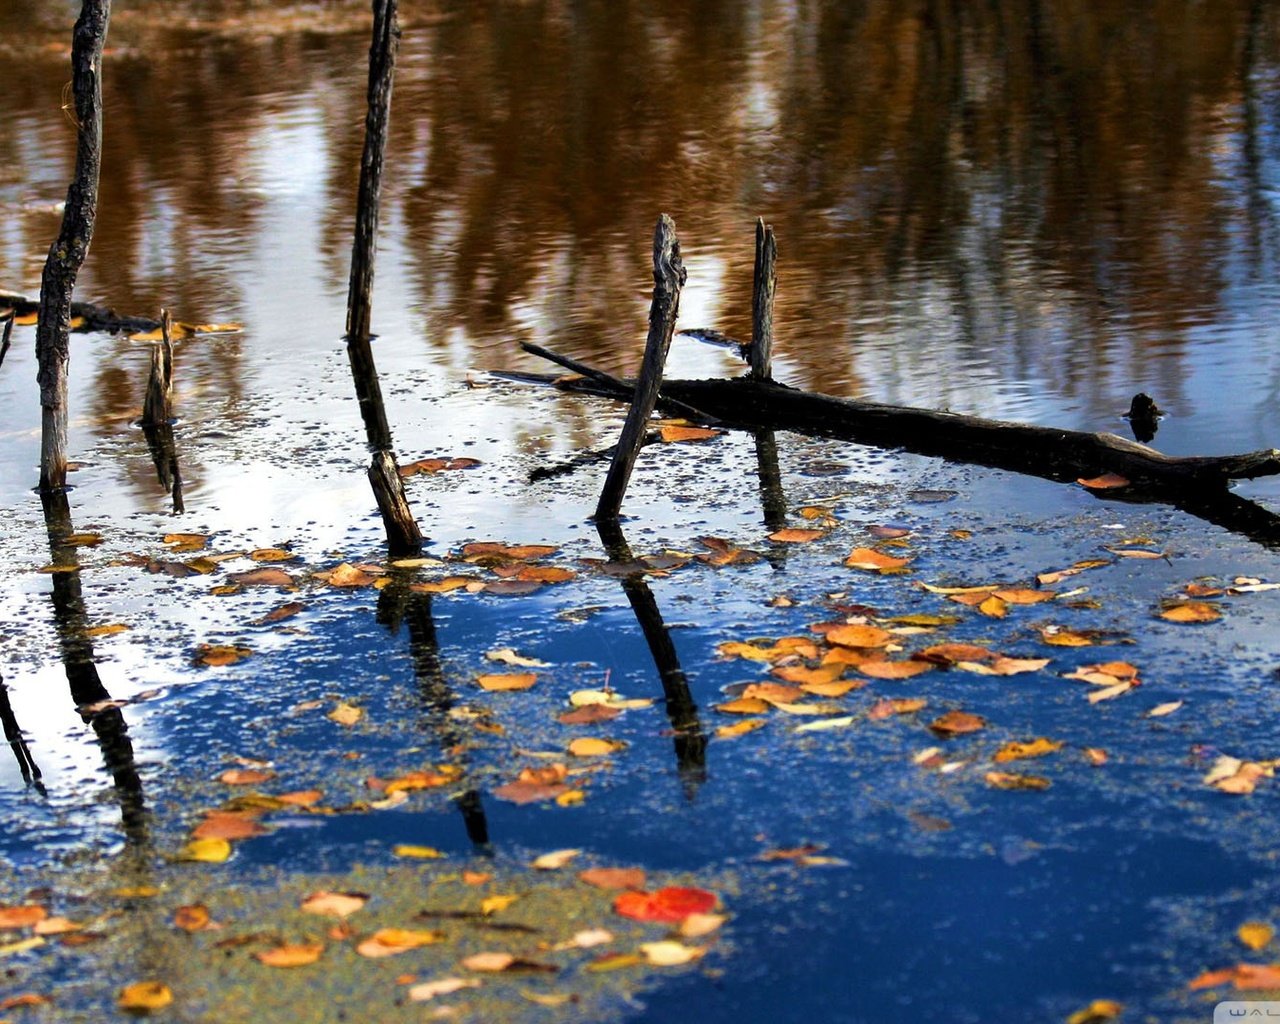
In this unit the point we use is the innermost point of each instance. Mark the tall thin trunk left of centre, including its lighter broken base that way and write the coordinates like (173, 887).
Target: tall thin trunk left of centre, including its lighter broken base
(403, 533)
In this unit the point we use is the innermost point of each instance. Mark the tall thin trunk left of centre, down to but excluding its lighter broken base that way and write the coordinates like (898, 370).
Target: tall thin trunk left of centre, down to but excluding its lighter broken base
(382, 72)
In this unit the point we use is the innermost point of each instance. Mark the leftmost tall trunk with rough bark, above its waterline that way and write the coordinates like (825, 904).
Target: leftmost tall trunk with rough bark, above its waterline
(67, 254)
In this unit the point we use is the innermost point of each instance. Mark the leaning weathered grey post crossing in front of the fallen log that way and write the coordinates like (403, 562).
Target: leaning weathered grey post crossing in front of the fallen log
(669, 278)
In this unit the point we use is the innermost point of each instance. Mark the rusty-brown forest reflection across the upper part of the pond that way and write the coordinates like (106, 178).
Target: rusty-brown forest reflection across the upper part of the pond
(1045, 189)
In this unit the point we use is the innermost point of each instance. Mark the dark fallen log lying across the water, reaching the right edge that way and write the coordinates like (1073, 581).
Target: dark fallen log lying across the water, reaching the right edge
(1197, 484)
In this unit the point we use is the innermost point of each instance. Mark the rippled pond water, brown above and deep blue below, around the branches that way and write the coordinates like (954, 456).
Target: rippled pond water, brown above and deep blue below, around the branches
(1014, 211)
